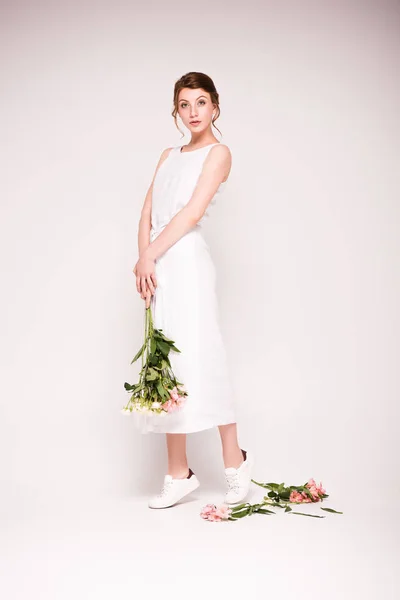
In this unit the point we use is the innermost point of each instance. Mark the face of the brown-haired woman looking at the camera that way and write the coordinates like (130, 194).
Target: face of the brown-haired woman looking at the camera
(195, 109)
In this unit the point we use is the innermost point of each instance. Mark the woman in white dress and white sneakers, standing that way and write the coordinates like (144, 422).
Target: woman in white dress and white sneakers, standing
(176, 274)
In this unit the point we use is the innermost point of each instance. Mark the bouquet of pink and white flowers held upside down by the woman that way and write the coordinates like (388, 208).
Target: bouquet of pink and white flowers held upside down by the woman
(157, 391)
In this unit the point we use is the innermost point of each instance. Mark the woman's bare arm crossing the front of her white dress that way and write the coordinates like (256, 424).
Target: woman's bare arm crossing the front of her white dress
(216, 168)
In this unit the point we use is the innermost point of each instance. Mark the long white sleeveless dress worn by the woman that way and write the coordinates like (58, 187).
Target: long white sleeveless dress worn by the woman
(185, 305)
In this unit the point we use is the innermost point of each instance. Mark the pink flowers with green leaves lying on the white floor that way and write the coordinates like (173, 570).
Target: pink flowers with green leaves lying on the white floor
(279, 496)
